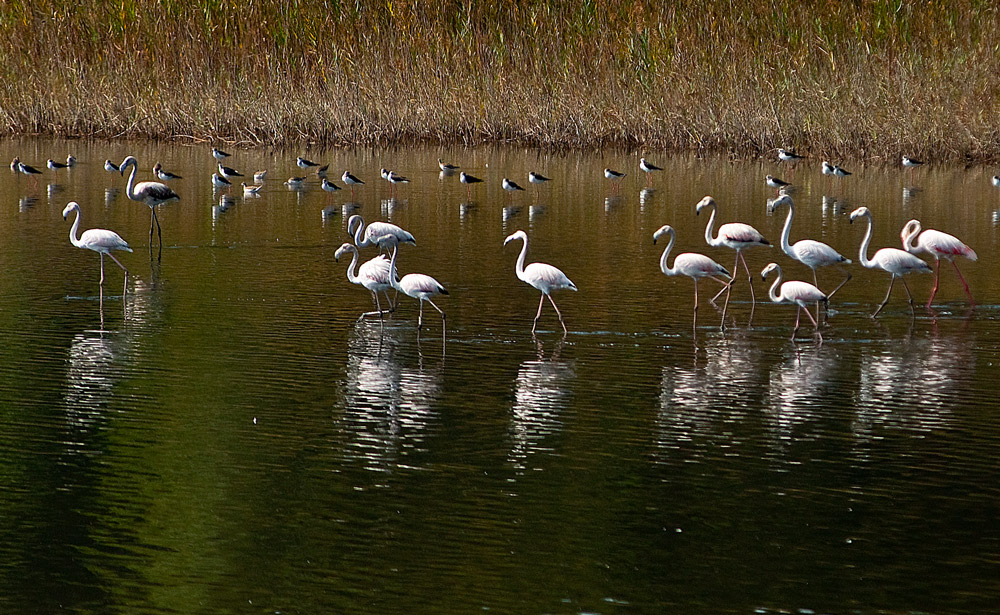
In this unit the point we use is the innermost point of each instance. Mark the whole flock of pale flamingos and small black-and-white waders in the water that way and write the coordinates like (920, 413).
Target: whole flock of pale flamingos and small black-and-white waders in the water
(379, 274)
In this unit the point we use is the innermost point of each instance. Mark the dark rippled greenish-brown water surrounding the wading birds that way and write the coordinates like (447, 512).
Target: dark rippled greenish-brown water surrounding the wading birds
(228, 439)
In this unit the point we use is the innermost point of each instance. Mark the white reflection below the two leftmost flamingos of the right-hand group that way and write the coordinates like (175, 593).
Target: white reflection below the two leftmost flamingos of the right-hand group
(701, 405)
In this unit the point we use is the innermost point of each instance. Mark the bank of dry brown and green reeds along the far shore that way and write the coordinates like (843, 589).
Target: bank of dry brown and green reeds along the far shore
(829, 77)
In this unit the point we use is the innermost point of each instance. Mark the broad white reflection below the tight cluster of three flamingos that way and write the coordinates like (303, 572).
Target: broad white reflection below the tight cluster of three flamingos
(387, 407)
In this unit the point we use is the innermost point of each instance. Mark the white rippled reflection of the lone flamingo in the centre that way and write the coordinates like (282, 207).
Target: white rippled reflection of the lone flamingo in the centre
(539, 398)
